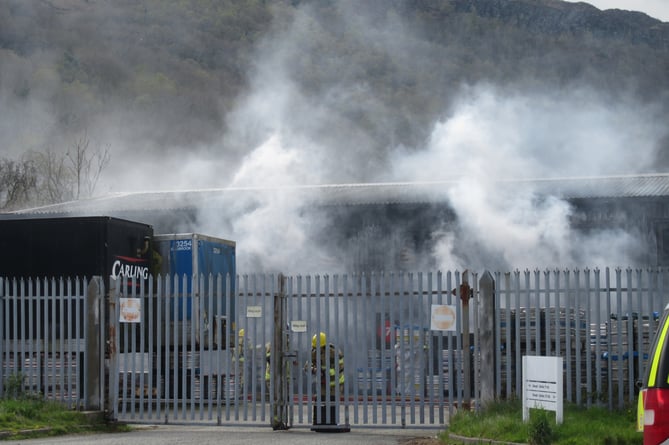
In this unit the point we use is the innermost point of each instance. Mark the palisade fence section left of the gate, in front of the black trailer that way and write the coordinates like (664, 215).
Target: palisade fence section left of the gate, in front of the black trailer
(45, 325)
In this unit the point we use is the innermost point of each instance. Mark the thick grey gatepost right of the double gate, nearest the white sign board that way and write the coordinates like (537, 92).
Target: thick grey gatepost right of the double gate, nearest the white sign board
(487, 319)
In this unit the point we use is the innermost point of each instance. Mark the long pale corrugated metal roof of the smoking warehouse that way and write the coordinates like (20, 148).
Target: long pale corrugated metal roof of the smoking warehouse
(651, 185)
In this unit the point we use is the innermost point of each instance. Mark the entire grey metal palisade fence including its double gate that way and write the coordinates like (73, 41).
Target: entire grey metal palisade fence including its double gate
(416, 346)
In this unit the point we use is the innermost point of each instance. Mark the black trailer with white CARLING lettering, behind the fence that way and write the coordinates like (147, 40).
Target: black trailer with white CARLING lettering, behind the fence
(81, 247)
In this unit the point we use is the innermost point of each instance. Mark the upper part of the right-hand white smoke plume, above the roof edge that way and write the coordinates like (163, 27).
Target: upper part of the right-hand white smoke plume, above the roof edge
(497, 135)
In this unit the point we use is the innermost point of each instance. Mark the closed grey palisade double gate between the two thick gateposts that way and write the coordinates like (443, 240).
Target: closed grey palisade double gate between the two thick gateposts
(203, 368)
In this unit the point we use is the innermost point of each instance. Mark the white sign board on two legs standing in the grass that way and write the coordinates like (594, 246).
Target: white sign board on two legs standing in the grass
(542, 385)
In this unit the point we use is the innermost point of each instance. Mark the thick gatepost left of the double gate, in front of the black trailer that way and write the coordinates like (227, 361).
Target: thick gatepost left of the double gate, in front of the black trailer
(93, 345)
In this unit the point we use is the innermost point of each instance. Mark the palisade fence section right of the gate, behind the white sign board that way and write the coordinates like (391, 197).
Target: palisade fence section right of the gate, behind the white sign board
(600, 321)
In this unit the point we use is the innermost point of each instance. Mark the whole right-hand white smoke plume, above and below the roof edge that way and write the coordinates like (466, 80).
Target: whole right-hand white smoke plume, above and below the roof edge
(493, 141)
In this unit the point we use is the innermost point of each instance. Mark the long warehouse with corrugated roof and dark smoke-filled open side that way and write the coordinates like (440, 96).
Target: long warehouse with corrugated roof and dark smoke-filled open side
(389, 226)
